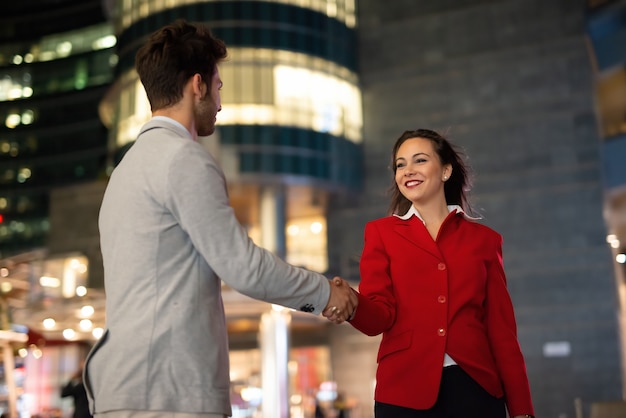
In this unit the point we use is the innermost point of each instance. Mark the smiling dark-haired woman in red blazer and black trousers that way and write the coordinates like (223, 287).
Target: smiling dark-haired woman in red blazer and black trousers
(433, 283)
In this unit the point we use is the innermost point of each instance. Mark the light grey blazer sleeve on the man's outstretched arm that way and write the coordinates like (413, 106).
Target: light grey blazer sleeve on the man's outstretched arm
(198, 198)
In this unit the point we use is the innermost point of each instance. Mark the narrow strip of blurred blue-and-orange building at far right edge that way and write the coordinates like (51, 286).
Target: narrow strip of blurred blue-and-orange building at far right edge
(606, 31)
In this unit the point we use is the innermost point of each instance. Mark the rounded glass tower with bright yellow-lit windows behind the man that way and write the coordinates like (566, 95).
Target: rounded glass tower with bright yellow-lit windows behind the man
(289, 133)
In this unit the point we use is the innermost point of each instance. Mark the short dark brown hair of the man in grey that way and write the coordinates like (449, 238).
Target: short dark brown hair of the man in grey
(174, 54)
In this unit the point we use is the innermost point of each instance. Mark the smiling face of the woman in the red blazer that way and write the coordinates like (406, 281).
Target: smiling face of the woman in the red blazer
(420, 176)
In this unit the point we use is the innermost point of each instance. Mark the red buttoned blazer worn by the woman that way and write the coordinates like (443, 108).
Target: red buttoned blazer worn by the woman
(428, 298)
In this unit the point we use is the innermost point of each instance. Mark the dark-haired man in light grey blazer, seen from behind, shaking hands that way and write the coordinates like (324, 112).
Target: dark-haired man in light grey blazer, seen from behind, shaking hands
(168, 238)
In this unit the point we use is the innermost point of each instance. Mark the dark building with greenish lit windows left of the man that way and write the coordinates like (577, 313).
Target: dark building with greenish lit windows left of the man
(56, 62)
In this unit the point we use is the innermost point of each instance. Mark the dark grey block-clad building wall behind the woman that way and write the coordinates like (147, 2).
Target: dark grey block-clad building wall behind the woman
(510, 82)
